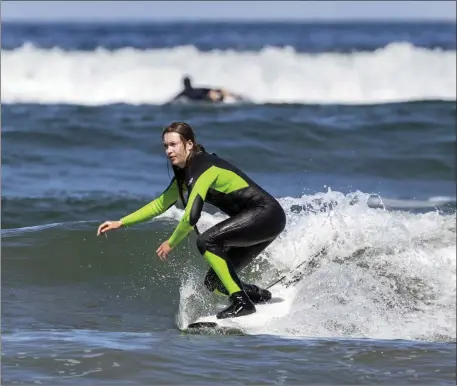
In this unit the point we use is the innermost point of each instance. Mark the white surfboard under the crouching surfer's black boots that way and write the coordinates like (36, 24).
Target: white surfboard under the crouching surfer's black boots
(266, 312)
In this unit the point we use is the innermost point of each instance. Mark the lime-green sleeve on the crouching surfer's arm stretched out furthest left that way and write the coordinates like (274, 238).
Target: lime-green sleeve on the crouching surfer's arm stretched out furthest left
(155, 207)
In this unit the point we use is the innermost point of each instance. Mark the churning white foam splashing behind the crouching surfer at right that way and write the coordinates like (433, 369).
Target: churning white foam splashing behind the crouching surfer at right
(385, 275)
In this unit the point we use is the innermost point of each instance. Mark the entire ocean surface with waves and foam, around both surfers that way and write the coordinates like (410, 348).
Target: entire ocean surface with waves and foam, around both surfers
(351, 127)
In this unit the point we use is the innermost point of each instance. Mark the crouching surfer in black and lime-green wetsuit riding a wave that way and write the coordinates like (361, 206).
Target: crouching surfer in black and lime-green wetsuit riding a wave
(255, 217)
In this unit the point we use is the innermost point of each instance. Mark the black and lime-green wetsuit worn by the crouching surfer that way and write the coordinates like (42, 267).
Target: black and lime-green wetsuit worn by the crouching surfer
(255, 218)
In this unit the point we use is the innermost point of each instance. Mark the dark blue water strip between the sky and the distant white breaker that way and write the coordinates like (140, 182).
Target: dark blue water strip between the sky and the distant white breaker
(304, 37)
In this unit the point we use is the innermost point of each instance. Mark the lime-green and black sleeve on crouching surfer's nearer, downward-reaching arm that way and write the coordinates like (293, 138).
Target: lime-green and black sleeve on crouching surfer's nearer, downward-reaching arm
(194, 205)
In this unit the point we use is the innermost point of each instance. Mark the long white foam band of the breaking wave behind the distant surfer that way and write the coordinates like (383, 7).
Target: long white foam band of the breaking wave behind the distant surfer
(398, 72)
